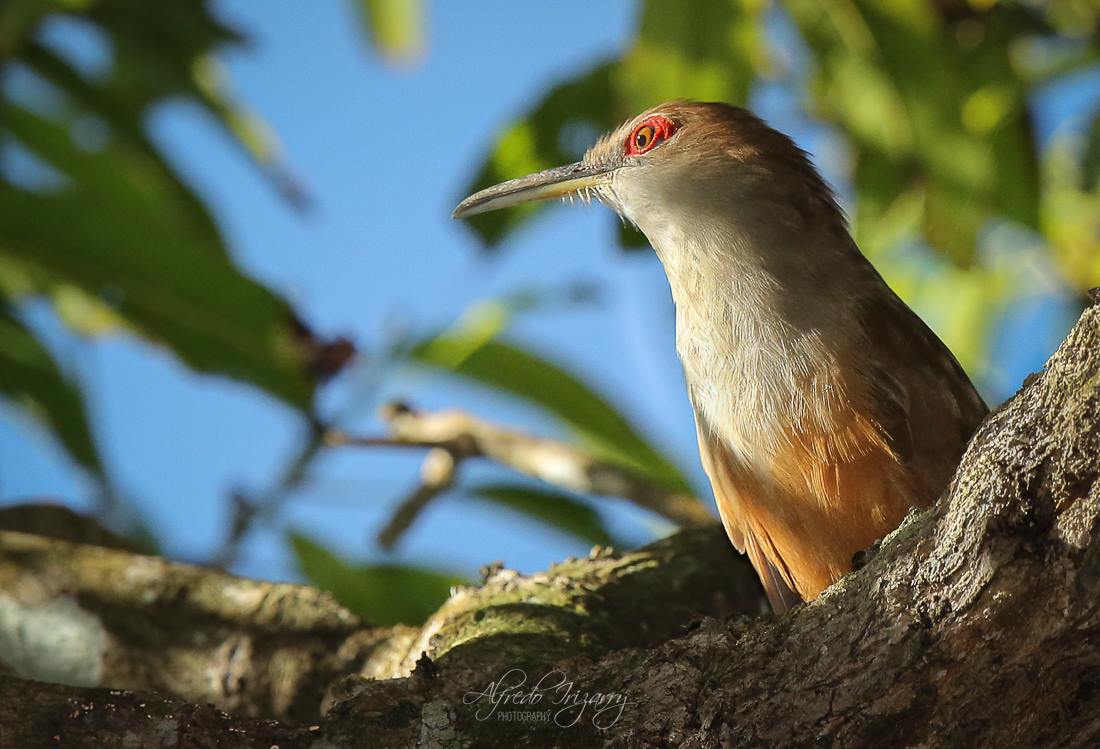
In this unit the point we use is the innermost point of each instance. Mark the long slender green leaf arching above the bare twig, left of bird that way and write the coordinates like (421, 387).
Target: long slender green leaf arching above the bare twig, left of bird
(474, 354)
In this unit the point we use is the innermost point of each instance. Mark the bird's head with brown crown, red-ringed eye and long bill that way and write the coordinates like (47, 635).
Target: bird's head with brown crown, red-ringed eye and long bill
(683, 164)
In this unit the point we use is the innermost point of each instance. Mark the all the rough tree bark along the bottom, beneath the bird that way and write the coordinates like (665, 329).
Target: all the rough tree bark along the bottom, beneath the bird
(975, 624)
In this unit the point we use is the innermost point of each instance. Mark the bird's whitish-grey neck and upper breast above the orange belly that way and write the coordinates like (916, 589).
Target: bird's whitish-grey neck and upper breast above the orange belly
(760, 311)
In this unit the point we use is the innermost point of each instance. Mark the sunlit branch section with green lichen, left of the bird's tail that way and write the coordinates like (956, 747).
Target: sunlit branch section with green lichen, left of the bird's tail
(587, 607)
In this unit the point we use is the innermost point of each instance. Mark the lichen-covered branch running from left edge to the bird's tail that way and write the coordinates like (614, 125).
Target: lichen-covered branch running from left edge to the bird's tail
(95, 616)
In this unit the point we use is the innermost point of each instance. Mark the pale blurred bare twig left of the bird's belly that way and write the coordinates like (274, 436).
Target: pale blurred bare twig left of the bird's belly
(464, 436)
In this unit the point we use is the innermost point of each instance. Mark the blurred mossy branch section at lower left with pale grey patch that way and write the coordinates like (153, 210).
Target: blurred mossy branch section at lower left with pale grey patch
(96, 616)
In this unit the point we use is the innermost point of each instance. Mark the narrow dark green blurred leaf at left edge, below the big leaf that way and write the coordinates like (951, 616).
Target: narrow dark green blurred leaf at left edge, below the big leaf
(31, 379)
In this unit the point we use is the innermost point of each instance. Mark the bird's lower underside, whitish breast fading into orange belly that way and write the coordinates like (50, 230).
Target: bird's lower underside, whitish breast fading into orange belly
(804, 469)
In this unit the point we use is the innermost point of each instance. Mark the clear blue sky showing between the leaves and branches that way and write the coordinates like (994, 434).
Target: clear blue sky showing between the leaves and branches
(386, 155)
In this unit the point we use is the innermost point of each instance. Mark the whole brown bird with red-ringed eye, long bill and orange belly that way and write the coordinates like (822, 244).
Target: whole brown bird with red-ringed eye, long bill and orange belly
(826, 409)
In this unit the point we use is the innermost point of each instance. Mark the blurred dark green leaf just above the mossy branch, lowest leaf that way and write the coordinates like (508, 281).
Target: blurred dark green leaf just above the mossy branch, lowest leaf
(382, 594)
